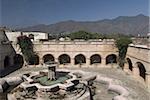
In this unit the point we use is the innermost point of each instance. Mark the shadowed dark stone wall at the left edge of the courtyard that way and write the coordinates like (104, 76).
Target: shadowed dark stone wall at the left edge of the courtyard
(7, 54)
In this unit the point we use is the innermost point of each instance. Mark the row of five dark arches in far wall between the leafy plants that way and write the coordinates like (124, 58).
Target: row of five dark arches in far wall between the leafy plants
(79, 59)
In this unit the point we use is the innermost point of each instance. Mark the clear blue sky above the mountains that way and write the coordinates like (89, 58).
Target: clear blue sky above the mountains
(21, 13)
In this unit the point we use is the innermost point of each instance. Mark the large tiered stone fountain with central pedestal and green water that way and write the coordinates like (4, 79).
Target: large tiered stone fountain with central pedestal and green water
(51, 84)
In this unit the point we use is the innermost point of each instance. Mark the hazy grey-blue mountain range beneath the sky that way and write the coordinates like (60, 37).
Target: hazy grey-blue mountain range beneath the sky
(123, 24)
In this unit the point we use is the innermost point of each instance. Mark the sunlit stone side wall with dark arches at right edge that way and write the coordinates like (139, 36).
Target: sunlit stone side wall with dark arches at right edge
(139, 66)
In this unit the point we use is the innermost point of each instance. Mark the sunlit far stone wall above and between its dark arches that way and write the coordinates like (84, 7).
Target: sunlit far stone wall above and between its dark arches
(73, 48)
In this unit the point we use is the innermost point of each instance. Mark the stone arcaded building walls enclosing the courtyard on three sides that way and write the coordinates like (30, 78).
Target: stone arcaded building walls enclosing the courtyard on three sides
(80, 53)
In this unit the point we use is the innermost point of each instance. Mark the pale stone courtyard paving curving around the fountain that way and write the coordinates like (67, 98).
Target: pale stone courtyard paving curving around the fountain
(136, 89)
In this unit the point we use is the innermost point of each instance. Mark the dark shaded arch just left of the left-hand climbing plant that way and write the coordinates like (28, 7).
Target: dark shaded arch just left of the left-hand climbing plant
(18, 60)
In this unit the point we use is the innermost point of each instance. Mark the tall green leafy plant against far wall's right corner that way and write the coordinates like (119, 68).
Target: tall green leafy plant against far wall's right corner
(122, 45)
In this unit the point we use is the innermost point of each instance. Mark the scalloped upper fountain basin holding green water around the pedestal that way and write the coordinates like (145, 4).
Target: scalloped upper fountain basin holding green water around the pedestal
(64, 81)
